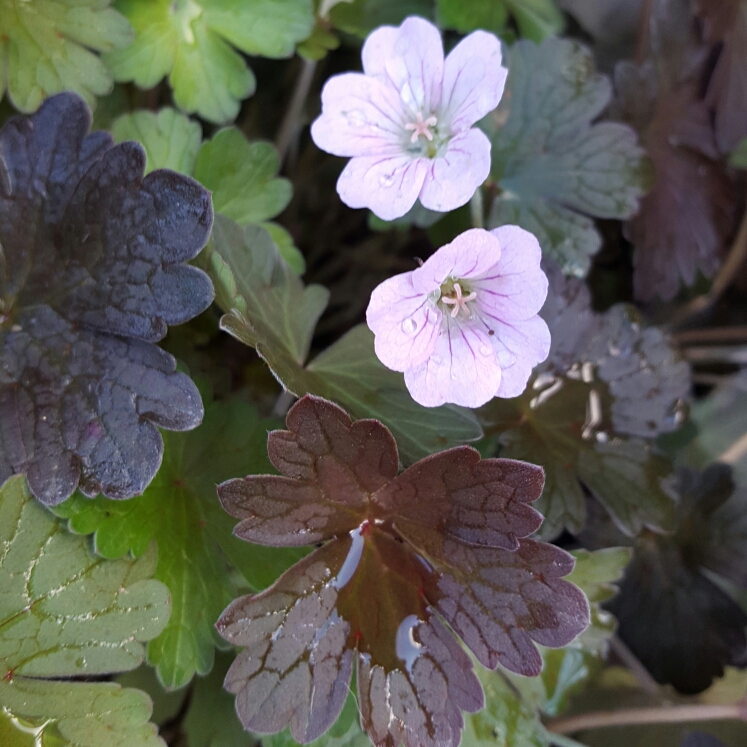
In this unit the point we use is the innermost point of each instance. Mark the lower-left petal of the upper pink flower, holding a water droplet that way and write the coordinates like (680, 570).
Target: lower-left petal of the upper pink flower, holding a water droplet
(388, 186)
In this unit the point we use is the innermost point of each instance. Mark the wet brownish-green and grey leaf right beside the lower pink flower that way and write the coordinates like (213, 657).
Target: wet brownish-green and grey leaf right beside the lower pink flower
(608, 386)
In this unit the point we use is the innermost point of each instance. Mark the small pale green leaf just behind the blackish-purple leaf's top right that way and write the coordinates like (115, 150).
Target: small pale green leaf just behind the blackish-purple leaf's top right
(170, 139)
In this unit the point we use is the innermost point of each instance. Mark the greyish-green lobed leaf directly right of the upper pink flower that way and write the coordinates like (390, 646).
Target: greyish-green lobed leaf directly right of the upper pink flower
(555, 169)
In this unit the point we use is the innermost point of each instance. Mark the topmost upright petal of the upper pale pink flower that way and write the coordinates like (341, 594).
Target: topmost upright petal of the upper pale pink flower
(410, 58)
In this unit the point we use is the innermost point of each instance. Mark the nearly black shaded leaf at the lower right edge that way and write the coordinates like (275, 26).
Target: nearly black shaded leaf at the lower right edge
(676, 620)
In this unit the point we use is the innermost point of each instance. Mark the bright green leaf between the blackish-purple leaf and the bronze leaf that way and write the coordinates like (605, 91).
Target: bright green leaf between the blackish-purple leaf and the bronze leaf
(180, 509)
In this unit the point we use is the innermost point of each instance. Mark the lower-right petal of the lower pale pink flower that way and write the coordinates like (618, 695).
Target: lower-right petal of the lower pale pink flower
(519, 347)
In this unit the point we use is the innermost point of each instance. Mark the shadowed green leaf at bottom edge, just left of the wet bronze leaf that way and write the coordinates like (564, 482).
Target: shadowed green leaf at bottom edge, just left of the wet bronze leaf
(211, 720)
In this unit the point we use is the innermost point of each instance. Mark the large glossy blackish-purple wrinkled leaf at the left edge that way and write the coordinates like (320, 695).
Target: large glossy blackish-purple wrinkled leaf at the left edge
(93, 272)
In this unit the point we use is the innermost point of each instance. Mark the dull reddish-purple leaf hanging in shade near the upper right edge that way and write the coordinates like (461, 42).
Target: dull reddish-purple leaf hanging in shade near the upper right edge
(684, 220)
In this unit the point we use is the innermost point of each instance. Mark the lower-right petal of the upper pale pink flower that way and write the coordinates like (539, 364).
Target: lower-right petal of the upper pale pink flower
(453, 178)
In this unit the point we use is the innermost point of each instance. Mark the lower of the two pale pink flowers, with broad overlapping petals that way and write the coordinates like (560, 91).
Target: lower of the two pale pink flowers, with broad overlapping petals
(464, 327)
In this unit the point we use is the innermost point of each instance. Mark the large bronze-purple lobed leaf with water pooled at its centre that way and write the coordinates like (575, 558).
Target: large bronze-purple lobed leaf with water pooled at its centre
(443, 540)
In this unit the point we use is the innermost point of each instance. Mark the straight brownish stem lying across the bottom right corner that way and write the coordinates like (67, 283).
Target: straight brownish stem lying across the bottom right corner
(641, 716)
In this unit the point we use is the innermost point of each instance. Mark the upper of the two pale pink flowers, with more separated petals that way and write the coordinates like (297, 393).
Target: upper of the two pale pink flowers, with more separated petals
(407, 119)
